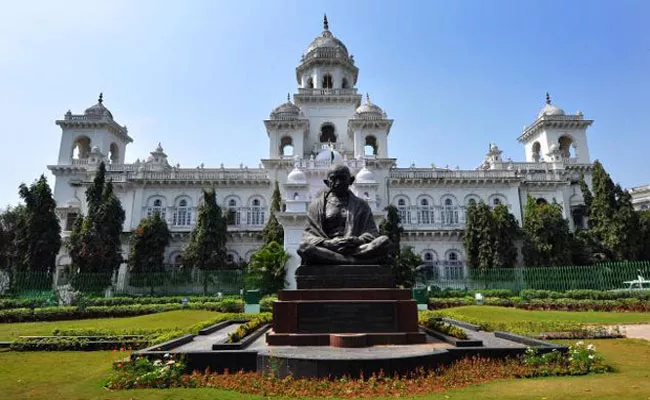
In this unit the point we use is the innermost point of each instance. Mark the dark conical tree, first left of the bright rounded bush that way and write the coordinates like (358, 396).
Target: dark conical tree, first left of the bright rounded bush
(206, 248)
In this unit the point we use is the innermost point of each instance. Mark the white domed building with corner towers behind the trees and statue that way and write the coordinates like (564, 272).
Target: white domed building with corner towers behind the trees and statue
(327, 121)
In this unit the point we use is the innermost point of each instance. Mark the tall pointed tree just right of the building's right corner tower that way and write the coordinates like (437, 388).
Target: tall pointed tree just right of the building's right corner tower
(614, 227)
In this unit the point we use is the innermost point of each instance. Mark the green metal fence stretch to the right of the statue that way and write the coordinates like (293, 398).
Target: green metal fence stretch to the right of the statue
(602, 276)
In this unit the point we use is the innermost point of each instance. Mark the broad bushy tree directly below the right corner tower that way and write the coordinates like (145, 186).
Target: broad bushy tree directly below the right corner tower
(547, 240)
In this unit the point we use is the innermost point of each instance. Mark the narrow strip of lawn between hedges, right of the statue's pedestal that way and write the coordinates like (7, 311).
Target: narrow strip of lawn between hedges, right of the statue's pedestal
(506, 314)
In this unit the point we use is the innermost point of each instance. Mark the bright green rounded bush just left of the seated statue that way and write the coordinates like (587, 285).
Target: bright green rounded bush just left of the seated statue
(268, 265)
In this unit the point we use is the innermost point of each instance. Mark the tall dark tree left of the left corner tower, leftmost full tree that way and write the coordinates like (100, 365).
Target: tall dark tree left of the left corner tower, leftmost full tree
(41, 236)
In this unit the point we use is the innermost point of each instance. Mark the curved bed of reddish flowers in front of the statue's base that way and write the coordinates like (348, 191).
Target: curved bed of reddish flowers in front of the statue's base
(140, 372)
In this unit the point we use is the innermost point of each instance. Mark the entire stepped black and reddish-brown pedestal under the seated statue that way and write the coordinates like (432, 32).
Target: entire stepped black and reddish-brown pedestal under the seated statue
(364, 310)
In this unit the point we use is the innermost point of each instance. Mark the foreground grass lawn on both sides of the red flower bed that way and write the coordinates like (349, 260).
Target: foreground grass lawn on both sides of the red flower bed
(76, 375)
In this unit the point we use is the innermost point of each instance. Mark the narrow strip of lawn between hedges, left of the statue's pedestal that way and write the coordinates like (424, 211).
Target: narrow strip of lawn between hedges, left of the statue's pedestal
(172, 319)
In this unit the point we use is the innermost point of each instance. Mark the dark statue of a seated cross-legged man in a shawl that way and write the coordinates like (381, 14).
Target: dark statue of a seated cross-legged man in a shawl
(340, 227)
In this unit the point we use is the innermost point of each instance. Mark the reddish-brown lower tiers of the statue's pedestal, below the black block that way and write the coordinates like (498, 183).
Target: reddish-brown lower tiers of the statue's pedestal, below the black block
(344, 318)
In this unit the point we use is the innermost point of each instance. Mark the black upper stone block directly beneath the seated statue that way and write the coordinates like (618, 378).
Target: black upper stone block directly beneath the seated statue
(344, 276)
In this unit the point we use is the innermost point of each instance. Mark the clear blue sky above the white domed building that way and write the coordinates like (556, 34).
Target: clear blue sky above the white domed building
(200, 76)
